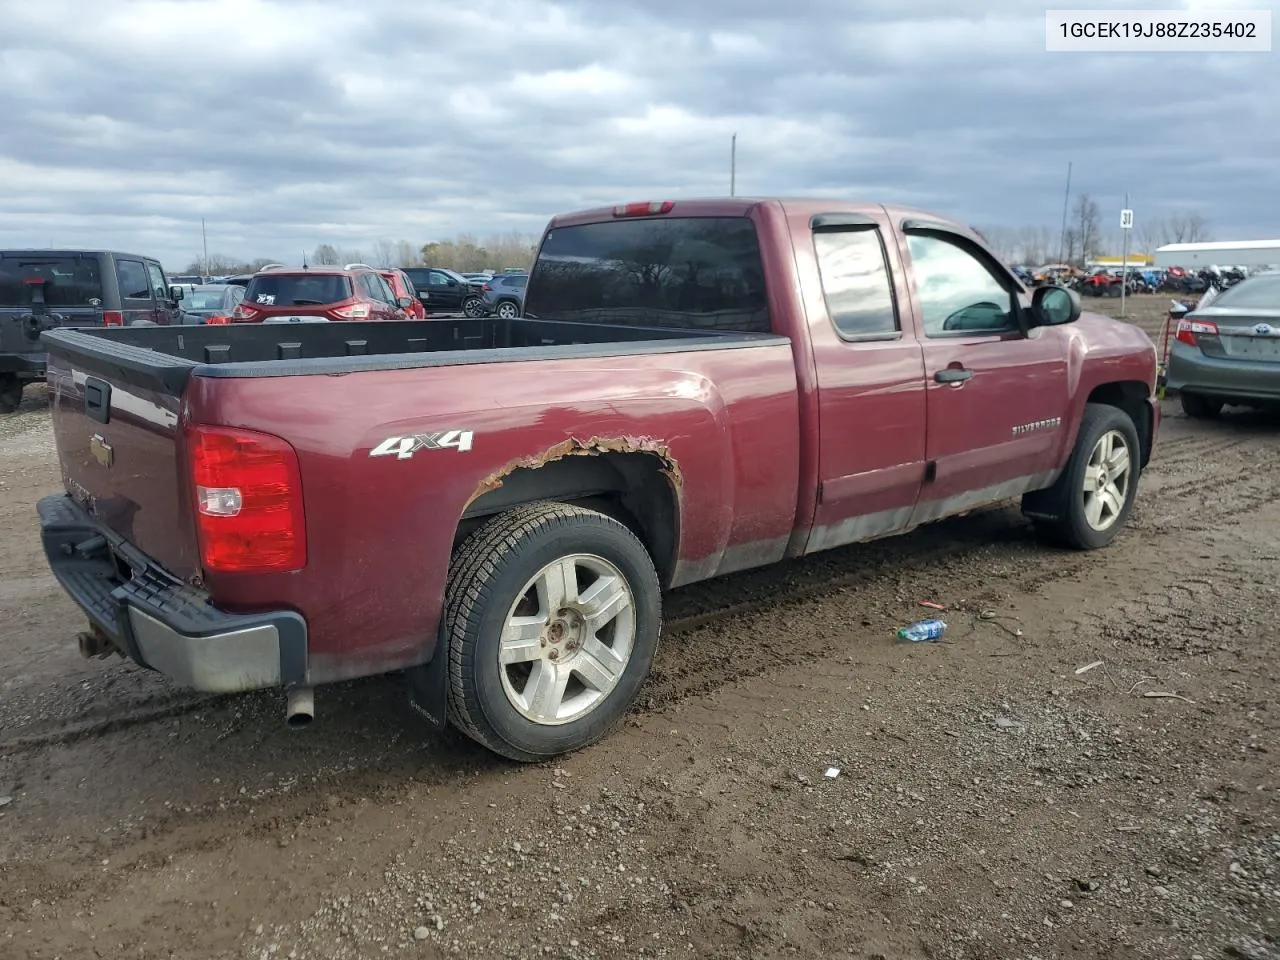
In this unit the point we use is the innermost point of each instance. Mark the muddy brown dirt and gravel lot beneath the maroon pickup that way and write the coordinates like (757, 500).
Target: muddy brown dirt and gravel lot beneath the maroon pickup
(993, 802)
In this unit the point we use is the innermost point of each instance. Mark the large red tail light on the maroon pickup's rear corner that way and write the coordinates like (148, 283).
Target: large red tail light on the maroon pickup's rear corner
(248, 492)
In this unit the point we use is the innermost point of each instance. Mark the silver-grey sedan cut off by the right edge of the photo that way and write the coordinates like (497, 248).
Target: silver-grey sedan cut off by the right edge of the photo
(1228, 351)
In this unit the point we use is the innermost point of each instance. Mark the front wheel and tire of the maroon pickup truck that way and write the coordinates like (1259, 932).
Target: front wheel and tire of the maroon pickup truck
(1063, 513)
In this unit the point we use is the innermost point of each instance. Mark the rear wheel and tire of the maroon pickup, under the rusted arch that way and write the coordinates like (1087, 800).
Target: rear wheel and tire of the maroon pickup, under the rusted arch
(501, 575)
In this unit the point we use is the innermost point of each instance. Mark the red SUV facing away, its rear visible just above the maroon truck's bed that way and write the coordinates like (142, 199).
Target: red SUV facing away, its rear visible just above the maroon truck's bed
(285, 295)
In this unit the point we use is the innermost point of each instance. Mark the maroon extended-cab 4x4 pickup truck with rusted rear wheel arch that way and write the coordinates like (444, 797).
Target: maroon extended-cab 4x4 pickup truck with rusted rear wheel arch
(496, 506)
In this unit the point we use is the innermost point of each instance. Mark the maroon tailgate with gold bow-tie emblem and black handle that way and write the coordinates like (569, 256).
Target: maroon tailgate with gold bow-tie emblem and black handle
(118, 447)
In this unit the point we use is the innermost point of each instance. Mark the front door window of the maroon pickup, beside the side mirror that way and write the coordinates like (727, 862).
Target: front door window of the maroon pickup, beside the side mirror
(958, 294)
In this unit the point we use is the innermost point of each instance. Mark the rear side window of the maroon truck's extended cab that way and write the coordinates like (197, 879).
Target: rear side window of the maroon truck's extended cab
(856, 282)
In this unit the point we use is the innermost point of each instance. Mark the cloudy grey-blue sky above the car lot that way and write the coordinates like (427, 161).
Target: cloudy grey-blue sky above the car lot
(294, 124)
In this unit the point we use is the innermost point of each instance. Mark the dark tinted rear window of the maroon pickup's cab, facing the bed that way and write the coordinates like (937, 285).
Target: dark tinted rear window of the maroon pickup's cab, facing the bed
(684, 272)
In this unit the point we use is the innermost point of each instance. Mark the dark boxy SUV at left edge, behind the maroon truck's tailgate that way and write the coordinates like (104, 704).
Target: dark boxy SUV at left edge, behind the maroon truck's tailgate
(47, 289)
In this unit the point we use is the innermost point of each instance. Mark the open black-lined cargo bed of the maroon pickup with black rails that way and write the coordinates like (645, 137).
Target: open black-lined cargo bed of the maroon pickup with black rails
(164, 358)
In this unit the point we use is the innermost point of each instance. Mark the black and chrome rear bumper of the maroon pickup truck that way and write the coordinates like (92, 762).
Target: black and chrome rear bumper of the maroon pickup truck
(162, 623)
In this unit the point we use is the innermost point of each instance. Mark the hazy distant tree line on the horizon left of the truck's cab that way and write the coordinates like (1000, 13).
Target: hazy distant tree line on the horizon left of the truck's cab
(465, 254)
